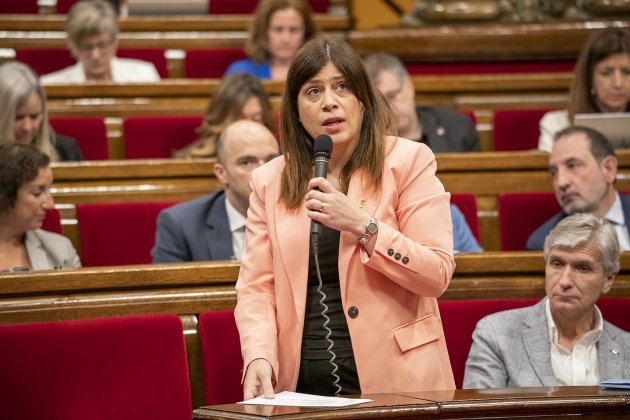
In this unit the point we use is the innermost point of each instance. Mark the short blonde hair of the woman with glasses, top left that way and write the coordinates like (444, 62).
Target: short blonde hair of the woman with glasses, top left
(91, 17)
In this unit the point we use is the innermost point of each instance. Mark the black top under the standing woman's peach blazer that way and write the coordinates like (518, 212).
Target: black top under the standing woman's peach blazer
(314, 344)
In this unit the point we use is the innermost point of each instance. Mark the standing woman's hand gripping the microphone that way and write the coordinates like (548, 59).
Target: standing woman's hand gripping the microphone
(334, 209)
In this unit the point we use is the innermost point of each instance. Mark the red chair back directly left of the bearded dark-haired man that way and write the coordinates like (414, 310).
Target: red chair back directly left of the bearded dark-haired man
(520, 214)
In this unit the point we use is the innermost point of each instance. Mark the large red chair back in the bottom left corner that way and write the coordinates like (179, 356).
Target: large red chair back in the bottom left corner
(114, 368)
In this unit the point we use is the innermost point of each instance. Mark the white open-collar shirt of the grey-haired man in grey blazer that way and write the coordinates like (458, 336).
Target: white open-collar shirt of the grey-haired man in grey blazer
(580, 366)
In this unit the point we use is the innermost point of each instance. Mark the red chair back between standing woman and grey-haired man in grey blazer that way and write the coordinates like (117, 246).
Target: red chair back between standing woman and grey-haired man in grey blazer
(459, 319)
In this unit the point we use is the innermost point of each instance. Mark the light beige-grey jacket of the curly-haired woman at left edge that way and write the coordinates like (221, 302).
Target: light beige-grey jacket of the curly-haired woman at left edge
(48, 250)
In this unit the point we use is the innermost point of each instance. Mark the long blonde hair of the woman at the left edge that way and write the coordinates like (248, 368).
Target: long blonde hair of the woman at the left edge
(17, 83)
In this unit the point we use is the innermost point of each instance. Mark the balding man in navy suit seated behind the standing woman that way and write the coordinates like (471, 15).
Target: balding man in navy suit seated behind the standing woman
(213, 227)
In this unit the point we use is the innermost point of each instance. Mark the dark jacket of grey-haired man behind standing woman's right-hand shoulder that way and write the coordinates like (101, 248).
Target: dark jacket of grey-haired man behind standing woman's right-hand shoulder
(445, 131)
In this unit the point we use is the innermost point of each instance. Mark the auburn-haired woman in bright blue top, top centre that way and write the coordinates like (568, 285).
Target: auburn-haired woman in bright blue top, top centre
(278, 30)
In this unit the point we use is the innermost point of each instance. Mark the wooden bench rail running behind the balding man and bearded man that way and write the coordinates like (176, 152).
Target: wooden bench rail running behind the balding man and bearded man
(484, 174)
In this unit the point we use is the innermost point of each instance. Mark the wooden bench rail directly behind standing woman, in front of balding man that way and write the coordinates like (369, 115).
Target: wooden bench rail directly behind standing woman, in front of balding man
(191, 288)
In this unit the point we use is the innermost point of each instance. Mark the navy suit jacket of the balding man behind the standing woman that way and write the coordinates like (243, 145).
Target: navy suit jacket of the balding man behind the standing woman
(196, 230)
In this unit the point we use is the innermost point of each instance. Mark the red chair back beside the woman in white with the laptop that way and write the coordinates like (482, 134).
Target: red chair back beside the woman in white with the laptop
(517, 129)
